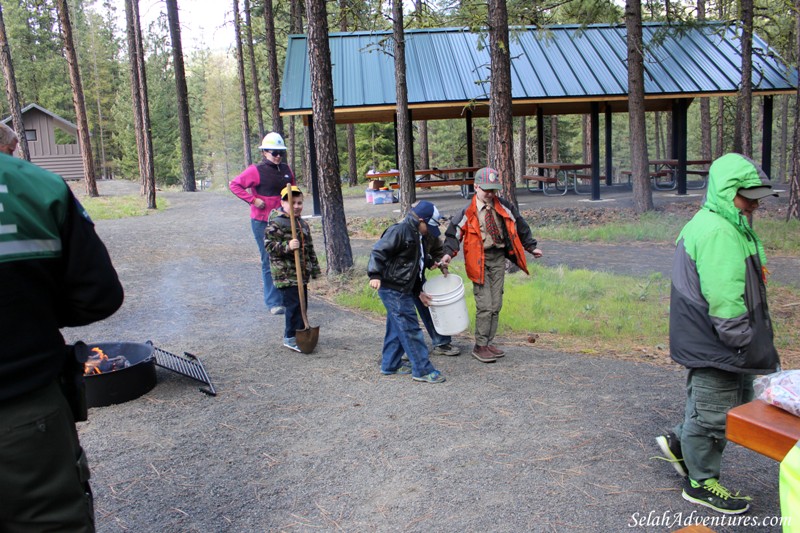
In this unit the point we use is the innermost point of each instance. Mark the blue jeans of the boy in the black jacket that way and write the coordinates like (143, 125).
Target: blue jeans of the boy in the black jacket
(403, 334)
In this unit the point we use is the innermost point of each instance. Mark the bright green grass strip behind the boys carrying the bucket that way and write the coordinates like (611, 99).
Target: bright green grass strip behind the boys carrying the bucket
(580, 310)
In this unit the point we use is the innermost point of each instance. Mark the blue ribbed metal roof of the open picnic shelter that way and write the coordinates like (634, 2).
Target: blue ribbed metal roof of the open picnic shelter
(560, 69)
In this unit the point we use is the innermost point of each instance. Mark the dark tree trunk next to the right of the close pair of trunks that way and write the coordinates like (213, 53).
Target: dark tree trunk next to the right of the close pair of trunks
(182, 94)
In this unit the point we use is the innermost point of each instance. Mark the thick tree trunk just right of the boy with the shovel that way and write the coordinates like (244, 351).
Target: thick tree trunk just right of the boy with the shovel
(334, 223)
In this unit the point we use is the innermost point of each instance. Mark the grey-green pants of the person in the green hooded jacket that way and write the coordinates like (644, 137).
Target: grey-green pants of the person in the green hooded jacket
(711, 393)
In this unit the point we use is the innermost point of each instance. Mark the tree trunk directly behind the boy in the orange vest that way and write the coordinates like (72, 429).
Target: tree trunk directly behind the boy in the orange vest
(501, 120)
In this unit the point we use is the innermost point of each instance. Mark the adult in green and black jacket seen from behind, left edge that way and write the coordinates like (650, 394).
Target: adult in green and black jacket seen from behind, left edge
(54, 273)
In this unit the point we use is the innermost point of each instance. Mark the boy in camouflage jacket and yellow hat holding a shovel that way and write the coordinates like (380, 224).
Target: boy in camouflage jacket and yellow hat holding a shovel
(281, 245)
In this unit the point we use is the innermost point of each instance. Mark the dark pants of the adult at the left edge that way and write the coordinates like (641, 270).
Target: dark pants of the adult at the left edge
(44, 475)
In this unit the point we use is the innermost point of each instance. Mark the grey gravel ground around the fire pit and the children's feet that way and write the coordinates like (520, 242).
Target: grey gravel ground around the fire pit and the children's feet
(540, 441)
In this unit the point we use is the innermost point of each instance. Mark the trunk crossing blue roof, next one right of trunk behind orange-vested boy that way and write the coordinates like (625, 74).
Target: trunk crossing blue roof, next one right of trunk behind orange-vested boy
(642, 195)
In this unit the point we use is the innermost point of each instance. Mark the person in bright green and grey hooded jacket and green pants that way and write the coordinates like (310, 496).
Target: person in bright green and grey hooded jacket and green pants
(719, 325)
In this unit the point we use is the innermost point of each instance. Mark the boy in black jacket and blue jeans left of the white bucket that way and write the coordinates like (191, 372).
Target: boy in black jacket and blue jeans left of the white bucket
(397, 270)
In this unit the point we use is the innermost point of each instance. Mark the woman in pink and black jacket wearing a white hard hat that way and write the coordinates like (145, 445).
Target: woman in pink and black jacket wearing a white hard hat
(260, 186)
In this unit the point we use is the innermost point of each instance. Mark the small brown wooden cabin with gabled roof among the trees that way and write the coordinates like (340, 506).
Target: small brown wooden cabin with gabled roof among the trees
(52, 142)
